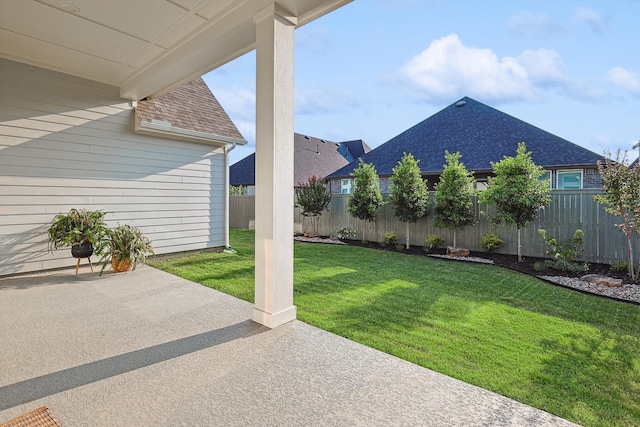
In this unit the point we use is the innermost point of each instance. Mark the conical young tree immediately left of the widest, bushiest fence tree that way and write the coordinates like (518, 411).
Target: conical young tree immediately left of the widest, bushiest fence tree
(454, 196)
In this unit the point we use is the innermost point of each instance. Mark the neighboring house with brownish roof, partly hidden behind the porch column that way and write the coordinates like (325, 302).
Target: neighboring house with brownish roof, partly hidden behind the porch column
(312, 156)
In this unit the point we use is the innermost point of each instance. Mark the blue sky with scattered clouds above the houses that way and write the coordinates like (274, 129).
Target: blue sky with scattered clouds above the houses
(374, 68)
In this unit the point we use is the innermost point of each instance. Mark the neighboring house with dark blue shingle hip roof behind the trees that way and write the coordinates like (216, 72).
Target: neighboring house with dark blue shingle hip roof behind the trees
(482, 135)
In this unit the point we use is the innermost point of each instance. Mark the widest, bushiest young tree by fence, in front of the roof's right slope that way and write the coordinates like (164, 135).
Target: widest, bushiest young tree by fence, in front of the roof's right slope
(516, 191)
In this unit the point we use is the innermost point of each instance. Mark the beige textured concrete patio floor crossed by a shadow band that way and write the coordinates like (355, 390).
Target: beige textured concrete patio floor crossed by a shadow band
(147, 348)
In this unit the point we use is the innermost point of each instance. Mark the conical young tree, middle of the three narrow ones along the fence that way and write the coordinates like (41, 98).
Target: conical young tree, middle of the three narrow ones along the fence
(409, 195)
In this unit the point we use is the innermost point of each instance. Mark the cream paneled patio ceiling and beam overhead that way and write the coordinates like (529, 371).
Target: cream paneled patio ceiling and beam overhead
(144, 47)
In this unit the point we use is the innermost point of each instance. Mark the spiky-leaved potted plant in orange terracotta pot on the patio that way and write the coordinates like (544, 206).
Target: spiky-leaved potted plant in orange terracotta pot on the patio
(125, 247)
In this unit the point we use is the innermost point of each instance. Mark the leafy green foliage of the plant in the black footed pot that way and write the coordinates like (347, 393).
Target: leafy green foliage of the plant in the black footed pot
(76, 227)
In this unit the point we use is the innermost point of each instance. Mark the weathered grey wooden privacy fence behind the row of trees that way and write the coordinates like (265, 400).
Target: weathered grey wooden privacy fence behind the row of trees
(568, 211)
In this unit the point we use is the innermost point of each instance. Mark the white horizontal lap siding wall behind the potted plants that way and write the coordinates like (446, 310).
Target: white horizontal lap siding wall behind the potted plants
(66, 142)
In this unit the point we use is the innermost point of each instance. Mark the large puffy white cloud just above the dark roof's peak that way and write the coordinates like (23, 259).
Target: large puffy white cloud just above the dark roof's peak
(448, 69)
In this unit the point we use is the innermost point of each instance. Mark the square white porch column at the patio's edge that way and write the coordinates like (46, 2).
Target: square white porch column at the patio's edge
(274, 167)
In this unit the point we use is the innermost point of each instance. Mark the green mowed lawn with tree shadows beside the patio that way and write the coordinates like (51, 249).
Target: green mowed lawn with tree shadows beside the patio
(574, 355)
